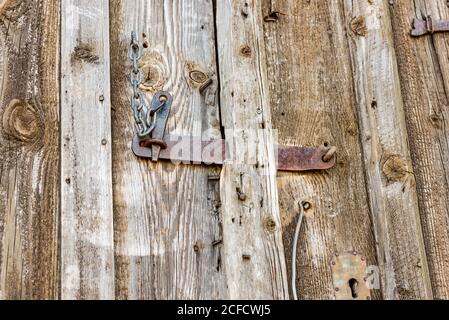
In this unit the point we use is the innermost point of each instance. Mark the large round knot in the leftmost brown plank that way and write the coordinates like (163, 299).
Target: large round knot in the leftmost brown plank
(21, 122)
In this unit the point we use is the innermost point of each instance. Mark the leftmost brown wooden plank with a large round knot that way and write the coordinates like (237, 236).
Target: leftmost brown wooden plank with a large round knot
(29, 149)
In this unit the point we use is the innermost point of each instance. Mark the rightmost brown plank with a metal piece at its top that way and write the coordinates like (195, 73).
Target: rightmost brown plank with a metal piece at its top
(424, 73)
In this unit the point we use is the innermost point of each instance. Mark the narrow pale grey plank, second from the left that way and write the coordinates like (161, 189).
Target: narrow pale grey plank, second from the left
(87, 247)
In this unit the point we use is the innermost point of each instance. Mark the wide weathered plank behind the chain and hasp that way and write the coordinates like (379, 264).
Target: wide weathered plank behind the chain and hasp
(167, 216)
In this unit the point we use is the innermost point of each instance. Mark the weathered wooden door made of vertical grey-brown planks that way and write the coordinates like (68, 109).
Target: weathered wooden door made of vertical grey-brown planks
(81, 217)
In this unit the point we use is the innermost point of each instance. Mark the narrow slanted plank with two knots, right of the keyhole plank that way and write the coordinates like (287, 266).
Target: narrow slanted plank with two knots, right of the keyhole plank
(390, 180)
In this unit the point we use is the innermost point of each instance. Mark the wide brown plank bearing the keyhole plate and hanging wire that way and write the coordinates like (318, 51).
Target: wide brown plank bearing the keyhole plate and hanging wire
(313, 104)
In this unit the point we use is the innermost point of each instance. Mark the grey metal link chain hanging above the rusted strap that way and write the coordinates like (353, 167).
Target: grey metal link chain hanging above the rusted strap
(145, 117)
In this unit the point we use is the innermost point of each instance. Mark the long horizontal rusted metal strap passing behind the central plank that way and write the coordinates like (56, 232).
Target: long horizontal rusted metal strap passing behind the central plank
(192, 150)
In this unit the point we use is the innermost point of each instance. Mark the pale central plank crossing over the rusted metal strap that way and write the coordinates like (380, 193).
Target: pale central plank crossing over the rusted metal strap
(253, 251)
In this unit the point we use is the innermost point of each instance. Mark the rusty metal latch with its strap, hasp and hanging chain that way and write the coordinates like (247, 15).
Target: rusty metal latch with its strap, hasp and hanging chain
(151, 142)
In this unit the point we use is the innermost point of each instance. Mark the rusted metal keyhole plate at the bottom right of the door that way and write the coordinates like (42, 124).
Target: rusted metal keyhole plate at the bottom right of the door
(349, 274)
